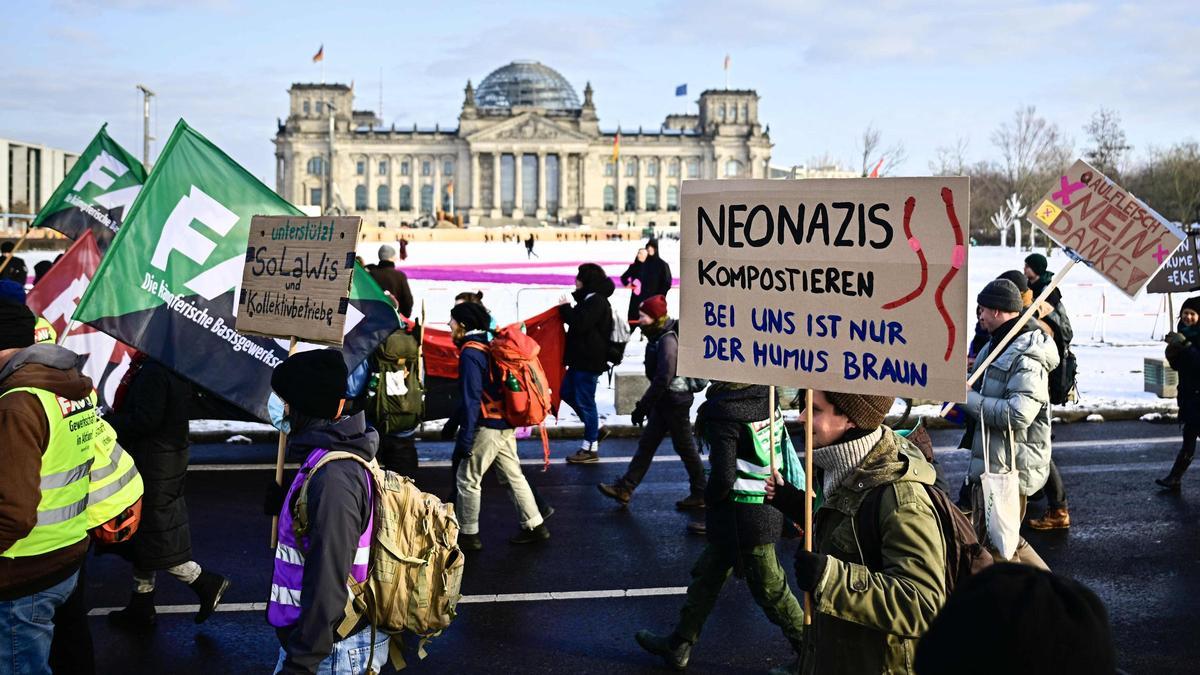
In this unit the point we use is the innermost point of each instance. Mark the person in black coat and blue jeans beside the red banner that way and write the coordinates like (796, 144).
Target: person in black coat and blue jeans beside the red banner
(589, 327)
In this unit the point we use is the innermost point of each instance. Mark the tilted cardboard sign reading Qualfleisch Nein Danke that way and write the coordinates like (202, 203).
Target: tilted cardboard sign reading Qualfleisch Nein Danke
(1121, 237)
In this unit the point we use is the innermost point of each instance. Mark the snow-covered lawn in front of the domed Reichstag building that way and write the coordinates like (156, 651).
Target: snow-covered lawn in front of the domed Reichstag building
(1113, 333)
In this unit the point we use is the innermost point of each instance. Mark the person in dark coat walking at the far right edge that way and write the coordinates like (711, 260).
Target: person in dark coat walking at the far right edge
(1184, 355)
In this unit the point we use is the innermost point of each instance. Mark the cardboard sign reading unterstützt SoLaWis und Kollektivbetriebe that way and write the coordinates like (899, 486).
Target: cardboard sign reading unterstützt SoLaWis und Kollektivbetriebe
(297, 279)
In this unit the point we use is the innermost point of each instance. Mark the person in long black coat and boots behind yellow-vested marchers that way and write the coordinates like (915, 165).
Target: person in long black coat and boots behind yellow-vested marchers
(152, 425)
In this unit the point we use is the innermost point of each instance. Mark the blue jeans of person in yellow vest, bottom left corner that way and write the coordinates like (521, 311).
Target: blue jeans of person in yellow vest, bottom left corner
(27, 629)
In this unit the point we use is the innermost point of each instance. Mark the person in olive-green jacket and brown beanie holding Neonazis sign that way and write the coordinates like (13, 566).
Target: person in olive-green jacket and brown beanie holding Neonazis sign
(872, 601)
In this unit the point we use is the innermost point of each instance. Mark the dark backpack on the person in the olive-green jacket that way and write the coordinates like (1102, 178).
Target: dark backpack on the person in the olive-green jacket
(965, 555)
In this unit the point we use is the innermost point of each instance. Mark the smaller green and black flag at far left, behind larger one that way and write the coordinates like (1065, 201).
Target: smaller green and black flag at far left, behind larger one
(97, 193)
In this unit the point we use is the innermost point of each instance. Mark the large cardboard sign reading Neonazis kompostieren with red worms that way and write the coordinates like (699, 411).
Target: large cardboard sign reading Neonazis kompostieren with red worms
(844, 285)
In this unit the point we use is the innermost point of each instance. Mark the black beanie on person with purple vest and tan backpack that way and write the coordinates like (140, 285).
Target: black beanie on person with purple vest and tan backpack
(313, 383)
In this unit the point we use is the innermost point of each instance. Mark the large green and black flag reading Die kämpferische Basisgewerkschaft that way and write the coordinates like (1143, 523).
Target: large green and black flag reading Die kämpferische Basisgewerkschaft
(170, 283)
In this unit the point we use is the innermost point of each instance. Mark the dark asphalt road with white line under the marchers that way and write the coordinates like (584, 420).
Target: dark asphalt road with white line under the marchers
(1137, 548)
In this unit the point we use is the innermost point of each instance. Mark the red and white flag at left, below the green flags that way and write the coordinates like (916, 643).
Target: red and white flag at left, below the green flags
(56, 298)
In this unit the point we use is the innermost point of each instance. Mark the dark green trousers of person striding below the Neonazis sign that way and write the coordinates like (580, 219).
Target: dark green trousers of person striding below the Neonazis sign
(767, 582)
